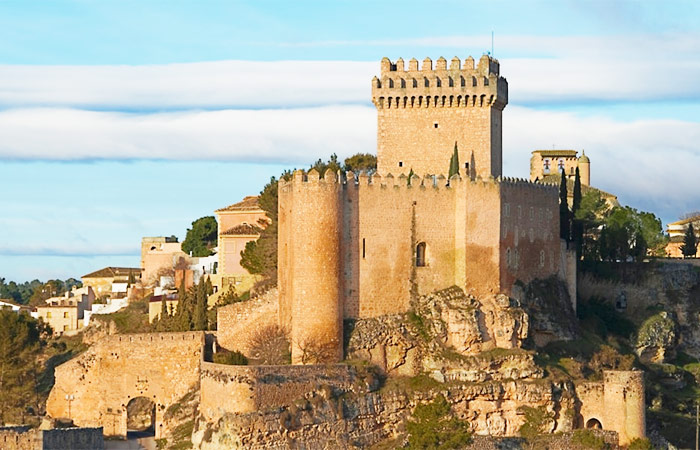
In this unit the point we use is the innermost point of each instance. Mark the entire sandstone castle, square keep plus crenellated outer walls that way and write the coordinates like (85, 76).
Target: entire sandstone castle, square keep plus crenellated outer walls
(358, 246)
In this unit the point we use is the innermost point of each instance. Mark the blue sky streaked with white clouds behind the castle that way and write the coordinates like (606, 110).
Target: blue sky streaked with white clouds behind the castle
(122, 119)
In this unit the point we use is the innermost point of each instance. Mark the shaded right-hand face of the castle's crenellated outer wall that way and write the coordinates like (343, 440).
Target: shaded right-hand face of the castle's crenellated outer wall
(530, 244)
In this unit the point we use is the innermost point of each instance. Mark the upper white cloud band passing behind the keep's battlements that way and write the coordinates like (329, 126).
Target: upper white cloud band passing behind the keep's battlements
(539, 69)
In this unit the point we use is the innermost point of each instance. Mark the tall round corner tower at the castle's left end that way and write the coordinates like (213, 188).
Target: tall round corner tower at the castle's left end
(309, 279)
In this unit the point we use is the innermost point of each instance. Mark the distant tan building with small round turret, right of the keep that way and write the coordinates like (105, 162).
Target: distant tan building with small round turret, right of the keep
(547, 165)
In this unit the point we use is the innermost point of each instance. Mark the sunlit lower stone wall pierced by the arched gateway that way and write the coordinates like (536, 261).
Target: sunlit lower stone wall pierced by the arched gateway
(123, 379)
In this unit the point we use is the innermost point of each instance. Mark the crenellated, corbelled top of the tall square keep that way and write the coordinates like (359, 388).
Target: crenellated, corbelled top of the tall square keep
(460, 86)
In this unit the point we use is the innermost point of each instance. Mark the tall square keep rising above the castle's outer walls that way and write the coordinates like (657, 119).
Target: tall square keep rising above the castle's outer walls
(422, 113)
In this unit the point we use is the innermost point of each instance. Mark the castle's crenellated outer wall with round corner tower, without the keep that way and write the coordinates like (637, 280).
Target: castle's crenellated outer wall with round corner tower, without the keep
(386, 240)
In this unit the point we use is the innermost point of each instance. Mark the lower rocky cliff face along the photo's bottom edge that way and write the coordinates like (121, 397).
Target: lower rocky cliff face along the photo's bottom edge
(322, 421)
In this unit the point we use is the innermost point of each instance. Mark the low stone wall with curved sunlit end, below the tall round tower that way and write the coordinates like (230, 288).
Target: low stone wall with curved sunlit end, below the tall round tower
(229, 389)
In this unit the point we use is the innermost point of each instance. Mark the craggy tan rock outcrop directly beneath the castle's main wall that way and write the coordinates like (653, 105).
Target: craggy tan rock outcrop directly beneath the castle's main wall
(451, 337)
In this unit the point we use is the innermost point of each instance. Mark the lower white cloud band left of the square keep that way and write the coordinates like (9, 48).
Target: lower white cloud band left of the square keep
(279, 135)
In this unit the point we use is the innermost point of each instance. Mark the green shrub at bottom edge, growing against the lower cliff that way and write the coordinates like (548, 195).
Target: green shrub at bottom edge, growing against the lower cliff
(434, 427)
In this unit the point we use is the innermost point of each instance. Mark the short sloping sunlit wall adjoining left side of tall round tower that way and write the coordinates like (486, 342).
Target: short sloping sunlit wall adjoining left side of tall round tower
(238, 322)
